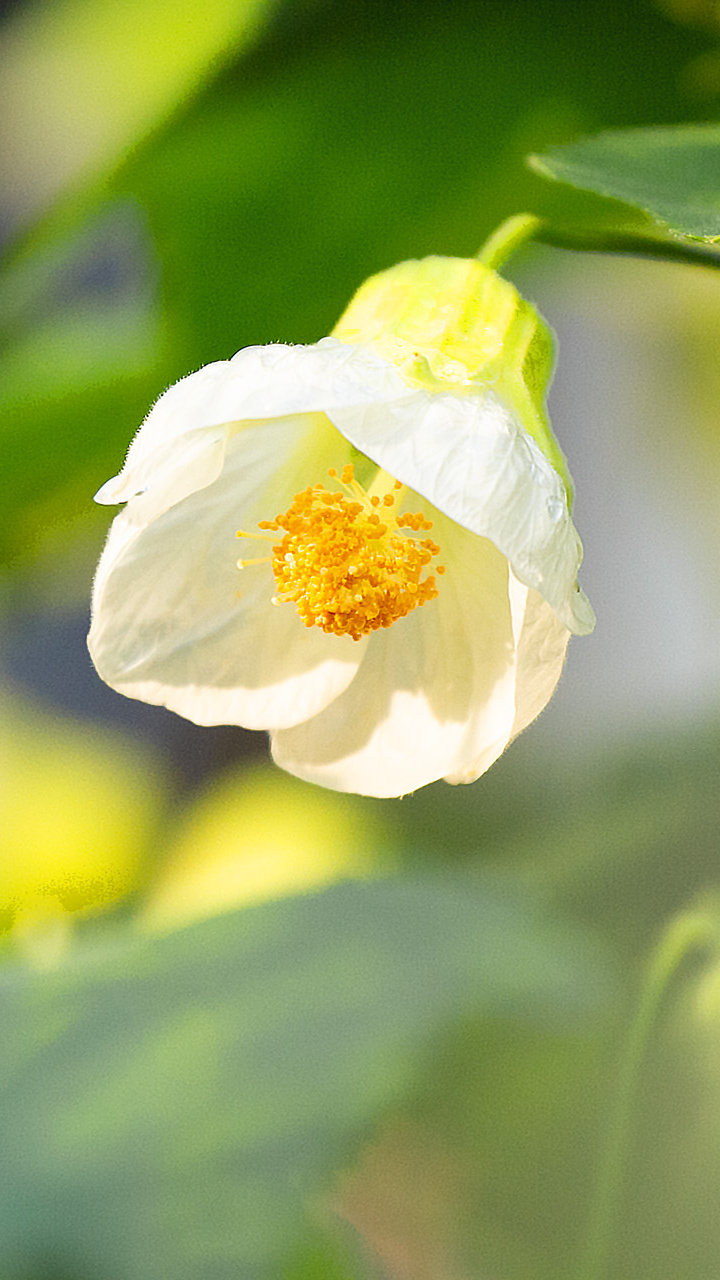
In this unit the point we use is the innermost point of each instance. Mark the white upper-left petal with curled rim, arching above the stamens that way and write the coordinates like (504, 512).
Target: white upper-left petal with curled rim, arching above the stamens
(258, 383)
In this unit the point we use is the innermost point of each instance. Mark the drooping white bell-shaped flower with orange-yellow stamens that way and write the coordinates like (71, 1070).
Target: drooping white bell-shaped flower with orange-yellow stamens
(425, 692)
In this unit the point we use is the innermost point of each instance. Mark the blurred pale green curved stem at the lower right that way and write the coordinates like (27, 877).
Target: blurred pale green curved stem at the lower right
(691, 932)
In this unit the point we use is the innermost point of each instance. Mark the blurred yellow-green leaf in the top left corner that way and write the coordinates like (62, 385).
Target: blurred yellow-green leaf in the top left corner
(83, 81)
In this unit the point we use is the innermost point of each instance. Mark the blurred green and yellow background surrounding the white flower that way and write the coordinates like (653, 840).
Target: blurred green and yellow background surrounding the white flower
(250, 1028)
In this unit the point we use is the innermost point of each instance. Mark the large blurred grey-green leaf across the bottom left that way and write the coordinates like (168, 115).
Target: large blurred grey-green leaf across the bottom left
(171, 1105)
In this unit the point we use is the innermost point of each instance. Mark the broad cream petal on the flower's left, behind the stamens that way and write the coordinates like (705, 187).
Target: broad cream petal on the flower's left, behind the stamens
(177, 624)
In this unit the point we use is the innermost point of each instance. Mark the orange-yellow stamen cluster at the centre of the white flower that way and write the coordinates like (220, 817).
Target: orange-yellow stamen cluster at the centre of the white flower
(344, 563)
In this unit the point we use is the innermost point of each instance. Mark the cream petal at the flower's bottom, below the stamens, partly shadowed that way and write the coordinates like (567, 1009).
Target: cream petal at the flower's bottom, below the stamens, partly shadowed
(435, 693)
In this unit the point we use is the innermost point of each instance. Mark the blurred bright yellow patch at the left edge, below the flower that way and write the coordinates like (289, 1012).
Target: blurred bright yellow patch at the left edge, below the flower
(80, 812)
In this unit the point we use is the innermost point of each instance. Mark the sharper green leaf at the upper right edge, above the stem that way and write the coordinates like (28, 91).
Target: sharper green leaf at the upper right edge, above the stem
(669, 175)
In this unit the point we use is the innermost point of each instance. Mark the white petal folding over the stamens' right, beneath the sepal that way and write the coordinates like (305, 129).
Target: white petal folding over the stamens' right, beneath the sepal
(473, 461)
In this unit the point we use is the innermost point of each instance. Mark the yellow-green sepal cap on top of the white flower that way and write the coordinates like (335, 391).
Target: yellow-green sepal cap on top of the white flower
(455, 324)
